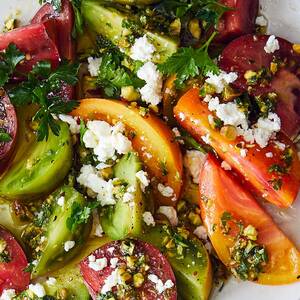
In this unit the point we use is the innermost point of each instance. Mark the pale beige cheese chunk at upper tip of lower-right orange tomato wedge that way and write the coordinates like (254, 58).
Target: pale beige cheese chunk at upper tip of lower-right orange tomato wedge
(193, 161)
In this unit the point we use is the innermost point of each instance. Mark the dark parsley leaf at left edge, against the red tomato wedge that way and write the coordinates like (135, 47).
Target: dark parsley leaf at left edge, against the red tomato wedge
(8, 62)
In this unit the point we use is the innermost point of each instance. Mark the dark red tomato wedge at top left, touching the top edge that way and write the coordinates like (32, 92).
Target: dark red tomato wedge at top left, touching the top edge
(63, 27)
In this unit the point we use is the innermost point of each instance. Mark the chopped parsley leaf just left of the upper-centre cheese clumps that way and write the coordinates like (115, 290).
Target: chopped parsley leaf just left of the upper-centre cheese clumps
(113, 75)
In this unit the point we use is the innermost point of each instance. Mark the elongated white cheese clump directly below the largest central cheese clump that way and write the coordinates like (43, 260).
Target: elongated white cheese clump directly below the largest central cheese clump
(104, 189)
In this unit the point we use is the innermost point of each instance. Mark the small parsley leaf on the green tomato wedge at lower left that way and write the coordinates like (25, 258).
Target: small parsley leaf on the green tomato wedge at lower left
(80, 214)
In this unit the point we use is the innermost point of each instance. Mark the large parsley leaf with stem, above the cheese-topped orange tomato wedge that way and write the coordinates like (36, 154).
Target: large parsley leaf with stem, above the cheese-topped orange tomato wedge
(188, 62)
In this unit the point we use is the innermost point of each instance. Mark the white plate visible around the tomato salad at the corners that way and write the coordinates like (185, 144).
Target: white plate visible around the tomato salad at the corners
(284, 21)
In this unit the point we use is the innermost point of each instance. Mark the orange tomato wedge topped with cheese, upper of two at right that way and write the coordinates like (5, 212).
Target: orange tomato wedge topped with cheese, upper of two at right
(255, 166)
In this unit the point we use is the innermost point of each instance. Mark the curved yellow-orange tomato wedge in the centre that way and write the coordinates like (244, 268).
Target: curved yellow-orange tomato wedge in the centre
(153, 140)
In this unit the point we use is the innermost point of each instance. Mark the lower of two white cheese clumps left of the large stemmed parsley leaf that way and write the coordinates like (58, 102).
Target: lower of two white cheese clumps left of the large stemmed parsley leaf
(151, 92)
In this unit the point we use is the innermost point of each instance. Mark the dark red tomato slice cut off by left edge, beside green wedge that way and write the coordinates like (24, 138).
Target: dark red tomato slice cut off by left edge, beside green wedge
(9, 125)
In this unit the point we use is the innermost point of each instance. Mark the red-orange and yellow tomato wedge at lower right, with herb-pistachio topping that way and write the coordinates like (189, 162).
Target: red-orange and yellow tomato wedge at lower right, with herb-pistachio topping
(220, 193)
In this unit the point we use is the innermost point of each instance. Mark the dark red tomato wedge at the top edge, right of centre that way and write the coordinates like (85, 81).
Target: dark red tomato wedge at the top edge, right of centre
(238, 21)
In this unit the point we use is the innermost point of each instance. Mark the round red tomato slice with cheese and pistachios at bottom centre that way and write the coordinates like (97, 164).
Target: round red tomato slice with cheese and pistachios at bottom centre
(159, 266)
